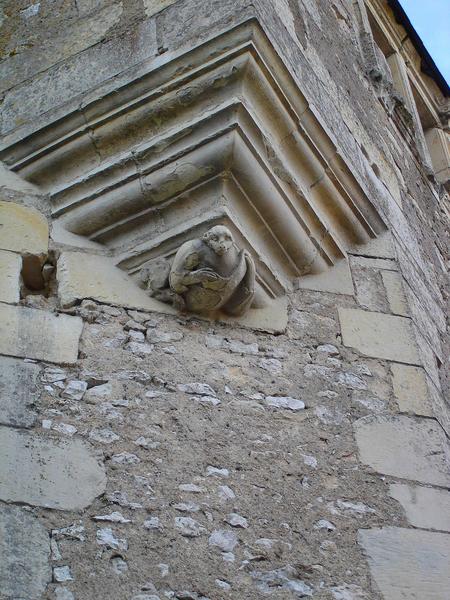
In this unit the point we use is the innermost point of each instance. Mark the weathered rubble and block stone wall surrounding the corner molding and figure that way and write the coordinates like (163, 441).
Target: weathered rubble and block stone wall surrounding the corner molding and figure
(149, 455)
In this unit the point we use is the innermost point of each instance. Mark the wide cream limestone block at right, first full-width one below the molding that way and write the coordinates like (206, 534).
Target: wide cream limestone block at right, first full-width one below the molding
(379, 335)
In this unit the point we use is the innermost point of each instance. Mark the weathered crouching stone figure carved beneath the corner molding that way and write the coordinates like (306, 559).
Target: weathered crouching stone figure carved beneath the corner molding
(211, 273)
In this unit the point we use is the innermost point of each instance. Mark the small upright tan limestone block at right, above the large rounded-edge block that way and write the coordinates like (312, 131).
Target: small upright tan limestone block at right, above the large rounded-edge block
(411, 390)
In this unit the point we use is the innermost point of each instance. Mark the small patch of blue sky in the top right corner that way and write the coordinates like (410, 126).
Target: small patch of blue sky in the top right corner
(431, 20)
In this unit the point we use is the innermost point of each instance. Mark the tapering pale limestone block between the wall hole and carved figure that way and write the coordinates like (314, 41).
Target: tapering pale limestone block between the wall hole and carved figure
(82, 275)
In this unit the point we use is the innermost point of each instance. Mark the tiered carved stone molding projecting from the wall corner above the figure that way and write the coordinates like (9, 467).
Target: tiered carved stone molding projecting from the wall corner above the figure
(218, 134)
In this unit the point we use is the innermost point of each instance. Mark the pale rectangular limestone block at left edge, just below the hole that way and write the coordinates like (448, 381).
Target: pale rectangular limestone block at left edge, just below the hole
(32, 333)
